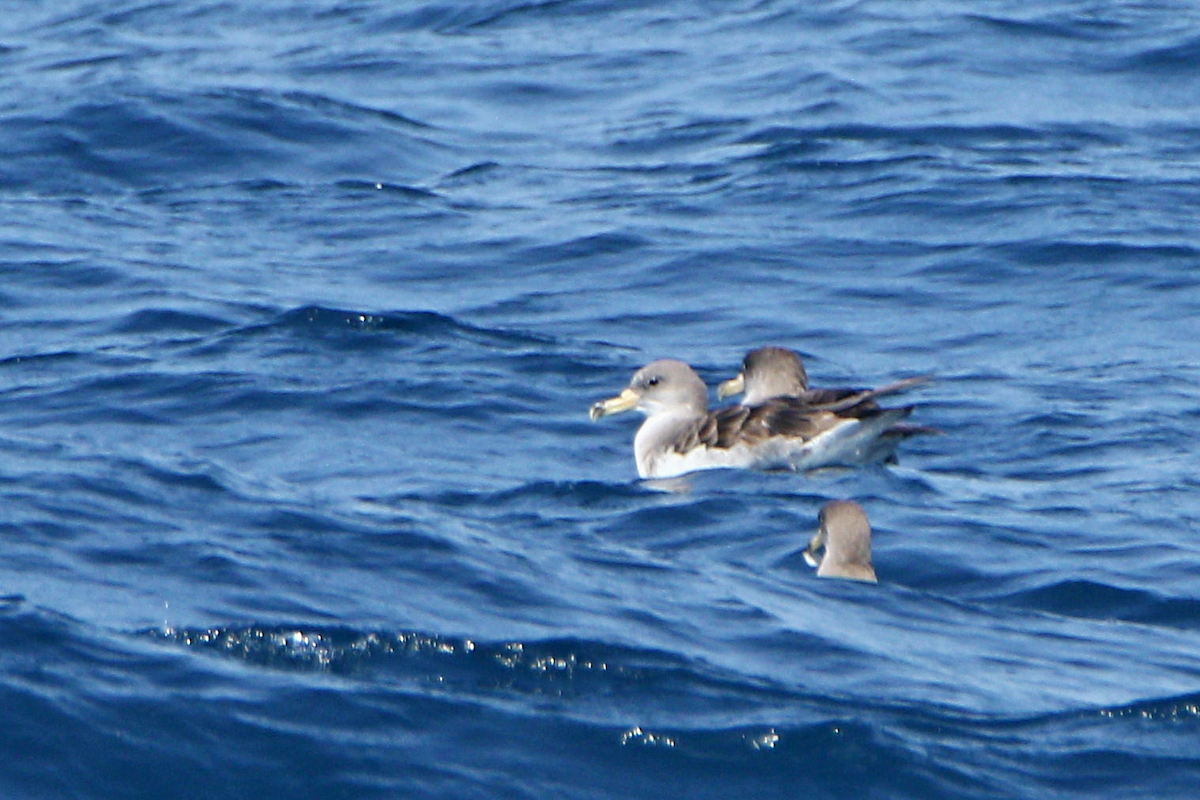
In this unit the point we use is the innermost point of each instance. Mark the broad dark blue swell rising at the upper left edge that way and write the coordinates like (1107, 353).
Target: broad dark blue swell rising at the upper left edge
(205, 137)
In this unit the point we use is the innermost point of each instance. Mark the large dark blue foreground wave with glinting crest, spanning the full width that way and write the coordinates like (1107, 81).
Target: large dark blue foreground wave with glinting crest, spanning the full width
(553, 707)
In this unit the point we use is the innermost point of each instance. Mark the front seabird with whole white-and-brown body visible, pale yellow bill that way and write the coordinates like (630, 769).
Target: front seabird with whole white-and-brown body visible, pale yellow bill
(682, 436)
